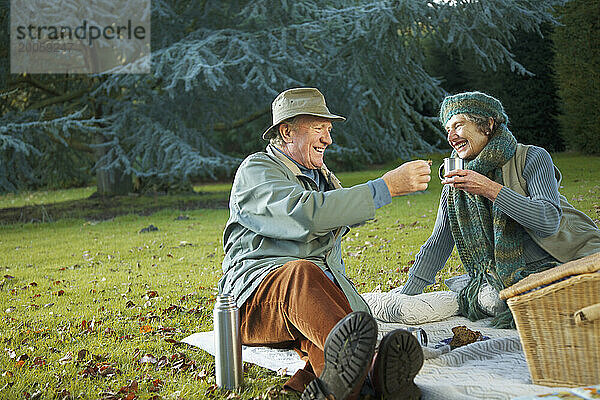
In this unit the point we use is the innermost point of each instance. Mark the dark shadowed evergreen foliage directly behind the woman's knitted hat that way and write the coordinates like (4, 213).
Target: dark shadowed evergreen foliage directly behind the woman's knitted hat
(530, 98)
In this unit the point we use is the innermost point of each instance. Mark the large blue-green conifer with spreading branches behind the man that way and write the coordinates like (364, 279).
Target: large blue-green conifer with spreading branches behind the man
(217, 65)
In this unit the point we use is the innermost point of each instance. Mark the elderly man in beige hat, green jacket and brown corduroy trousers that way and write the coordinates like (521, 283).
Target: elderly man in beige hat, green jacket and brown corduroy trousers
(283, 260)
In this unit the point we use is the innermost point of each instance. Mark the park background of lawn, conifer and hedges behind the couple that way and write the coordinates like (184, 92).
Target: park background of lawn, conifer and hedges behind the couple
(93, 303)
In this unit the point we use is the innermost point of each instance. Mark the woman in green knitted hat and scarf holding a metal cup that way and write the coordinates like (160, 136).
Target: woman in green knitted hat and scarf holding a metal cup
(503, 211)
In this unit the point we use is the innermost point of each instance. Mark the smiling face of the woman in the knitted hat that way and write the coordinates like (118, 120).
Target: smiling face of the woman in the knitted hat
(465, 137)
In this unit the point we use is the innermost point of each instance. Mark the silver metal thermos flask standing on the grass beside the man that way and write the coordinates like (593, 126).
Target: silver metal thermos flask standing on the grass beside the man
(228, 343)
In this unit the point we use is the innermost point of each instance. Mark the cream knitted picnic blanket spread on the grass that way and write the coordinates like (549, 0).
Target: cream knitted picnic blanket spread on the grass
(494, 368)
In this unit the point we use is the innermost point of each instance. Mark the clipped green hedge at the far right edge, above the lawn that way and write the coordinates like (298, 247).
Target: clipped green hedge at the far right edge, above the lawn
(577, 65)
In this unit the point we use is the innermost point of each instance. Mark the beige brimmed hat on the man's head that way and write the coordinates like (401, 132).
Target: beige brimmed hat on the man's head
(298, 101)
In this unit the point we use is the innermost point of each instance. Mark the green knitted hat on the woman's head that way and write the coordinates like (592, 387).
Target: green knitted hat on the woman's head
(471, 103)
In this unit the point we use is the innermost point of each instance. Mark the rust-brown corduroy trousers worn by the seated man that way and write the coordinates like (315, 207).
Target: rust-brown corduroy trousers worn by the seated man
(294, 307)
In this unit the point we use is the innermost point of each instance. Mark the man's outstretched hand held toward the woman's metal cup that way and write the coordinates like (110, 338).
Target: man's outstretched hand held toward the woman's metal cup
(411, 176)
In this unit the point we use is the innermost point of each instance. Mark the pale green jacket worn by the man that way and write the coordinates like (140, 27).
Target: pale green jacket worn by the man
(277, 215)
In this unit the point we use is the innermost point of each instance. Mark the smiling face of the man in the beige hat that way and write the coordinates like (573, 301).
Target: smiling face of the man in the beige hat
(307, 139)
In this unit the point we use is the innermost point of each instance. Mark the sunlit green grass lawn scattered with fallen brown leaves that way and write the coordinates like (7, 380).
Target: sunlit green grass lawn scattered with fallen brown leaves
(92, 308)
